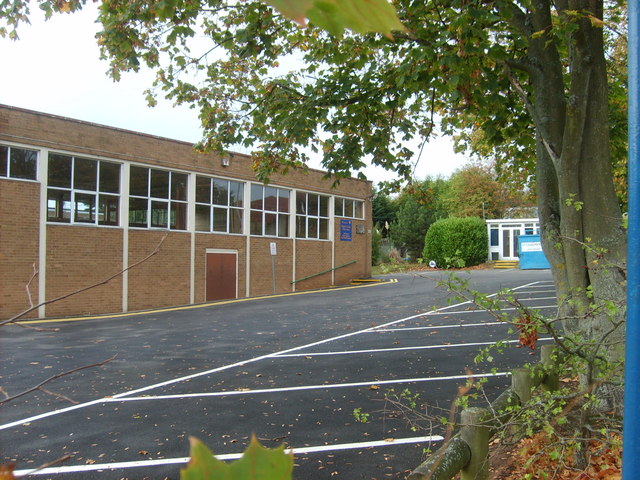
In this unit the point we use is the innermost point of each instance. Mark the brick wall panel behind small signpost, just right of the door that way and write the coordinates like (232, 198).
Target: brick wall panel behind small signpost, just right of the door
(261, 276)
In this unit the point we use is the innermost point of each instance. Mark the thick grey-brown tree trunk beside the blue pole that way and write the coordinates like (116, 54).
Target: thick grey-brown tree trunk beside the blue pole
(582, 231)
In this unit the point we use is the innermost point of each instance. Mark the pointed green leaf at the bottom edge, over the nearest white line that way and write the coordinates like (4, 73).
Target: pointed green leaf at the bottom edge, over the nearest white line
(257, 463)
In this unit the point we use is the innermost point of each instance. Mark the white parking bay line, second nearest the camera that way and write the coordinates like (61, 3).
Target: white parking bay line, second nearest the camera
(301, 388)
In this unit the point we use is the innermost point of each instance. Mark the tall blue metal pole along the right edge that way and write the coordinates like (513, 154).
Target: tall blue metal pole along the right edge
(631, 441)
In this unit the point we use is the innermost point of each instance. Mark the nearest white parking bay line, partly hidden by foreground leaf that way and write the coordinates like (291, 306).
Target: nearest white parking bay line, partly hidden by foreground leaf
(231, 456)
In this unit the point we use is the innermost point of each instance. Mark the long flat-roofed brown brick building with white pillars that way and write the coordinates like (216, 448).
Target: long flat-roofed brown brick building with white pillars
(80, 202)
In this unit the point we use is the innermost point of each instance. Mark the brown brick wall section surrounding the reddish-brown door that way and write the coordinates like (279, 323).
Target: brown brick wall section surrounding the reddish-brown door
(223, 242)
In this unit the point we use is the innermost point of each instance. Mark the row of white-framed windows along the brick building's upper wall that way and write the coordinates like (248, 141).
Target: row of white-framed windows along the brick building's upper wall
(84, 190)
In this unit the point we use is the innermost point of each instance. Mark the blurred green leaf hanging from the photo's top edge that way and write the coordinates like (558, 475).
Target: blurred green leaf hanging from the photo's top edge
(361, 16)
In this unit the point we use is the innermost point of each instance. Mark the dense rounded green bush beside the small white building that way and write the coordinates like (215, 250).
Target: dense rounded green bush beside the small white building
(456, 242)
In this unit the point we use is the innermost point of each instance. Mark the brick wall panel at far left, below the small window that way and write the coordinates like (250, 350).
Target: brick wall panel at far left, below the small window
(19, 237)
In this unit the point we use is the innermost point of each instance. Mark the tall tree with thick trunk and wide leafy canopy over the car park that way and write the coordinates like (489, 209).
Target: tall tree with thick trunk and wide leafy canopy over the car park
(512, 69)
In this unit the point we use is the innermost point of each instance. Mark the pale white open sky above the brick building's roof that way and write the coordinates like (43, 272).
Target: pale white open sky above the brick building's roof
(55, 68)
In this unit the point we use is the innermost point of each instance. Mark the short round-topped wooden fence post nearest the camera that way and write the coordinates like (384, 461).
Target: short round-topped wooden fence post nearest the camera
(476, 434)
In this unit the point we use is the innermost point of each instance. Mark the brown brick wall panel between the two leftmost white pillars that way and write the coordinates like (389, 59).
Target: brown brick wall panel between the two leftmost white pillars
(79, 256)
